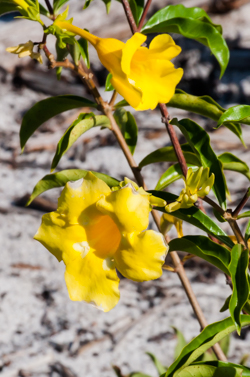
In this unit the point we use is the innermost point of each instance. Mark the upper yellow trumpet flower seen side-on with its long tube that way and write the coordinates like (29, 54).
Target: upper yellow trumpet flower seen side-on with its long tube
(143, 76)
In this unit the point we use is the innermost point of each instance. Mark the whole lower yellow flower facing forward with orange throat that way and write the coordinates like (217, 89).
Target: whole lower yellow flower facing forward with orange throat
(96, 230)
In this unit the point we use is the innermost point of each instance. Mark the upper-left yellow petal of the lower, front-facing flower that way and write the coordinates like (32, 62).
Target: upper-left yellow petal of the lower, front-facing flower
(80, 195)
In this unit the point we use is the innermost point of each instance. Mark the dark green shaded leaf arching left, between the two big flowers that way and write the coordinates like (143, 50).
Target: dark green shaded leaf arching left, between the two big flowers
(46, 109)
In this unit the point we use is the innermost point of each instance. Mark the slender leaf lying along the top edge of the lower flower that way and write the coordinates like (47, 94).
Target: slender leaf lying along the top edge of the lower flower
(60, 179)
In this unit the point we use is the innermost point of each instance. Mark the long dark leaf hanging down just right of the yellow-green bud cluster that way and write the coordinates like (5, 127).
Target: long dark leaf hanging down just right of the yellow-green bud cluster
(199, 140)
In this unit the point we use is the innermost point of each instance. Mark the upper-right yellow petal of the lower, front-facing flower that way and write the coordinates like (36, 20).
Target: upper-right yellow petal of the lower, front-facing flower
(127, 207)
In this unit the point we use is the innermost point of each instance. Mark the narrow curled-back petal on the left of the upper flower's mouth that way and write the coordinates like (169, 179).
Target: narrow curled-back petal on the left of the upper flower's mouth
(131, 46)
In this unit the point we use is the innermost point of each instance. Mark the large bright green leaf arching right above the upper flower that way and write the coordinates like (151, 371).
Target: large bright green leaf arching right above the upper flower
(192, 23)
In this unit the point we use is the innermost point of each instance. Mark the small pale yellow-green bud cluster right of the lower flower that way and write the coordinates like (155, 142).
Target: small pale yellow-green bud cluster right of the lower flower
(197, 184)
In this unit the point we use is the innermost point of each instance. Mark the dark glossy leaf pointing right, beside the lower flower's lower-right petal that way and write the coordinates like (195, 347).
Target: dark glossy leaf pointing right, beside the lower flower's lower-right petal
(204, 248)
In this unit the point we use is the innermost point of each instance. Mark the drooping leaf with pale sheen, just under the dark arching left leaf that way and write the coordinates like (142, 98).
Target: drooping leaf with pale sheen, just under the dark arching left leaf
(82, 124)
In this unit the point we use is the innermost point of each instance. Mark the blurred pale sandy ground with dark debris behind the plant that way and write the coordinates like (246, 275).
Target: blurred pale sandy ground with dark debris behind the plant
(42, 332)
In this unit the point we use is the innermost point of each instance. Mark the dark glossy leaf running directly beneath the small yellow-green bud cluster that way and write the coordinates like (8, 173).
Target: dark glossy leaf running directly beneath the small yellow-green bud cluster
(195, 217)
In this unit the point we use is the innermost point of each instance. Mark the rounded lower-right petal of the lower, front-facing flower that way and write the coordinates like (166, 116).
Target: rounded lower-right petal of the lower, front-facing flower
(141, 255)
